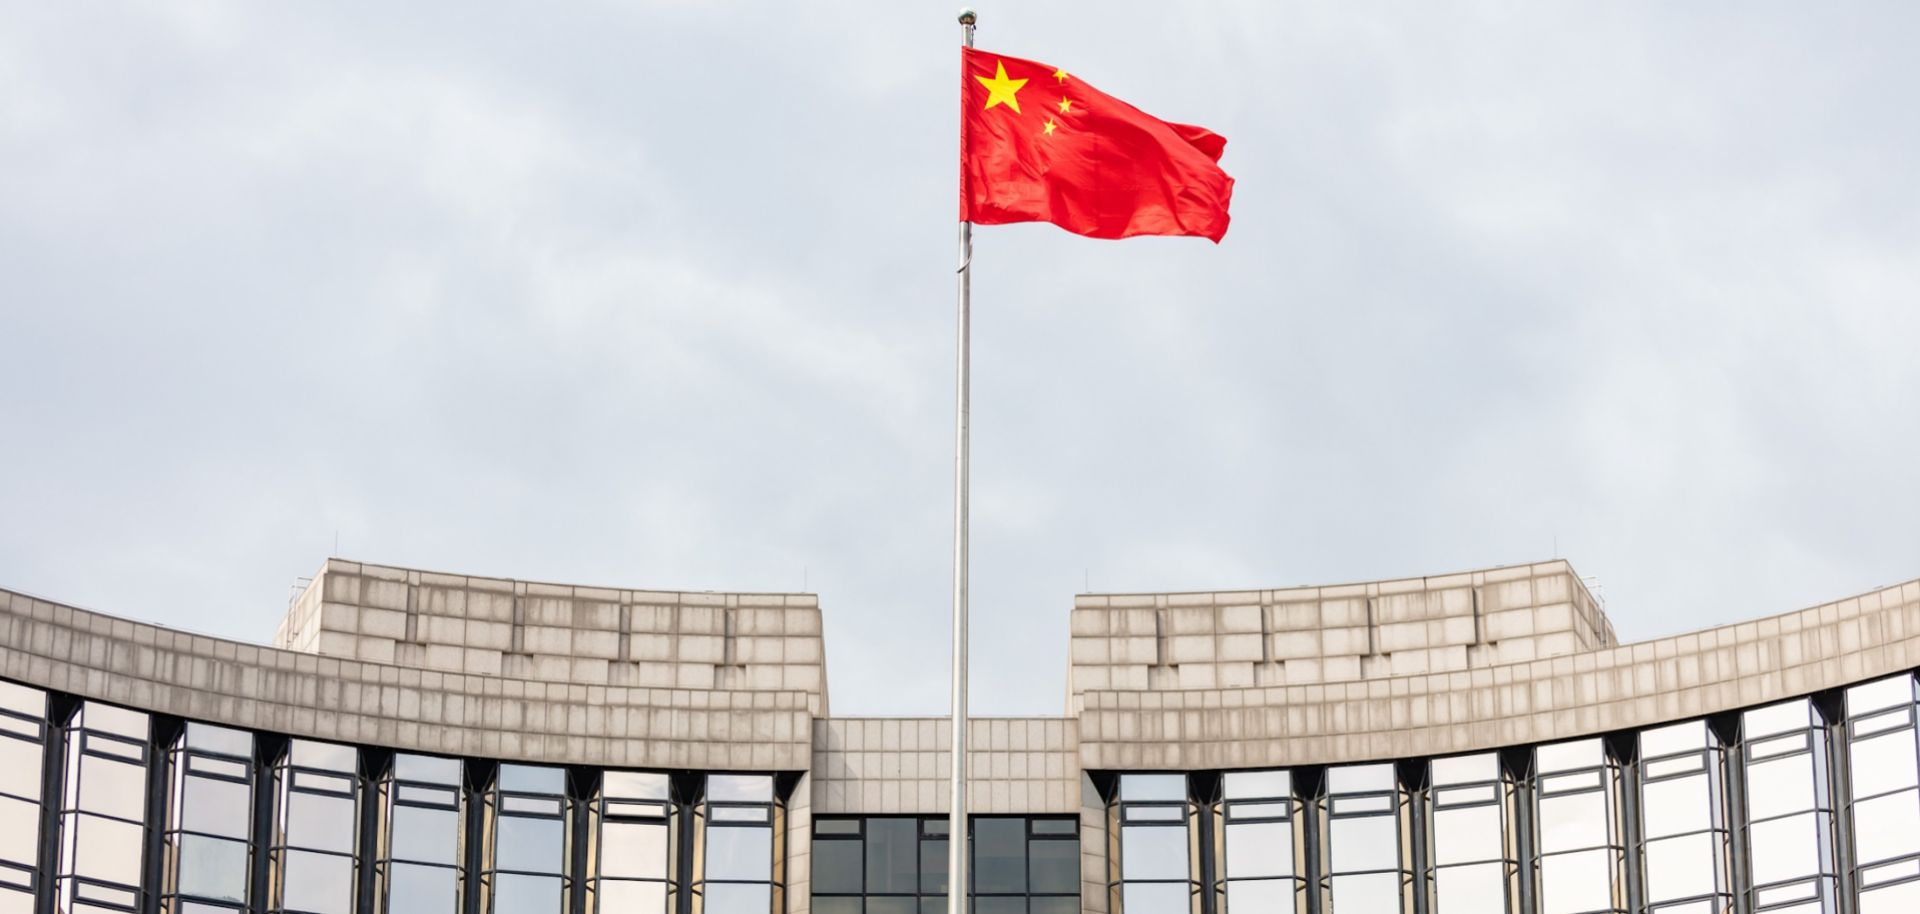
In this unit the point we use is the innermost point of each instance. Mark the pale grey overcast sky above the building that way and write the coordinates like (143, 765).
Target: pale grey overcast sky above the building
(663, 299)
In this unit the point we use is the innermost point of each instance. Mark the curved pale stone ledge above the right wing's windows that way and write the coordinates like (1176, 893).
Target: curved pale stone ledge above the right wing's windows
(1595, 692)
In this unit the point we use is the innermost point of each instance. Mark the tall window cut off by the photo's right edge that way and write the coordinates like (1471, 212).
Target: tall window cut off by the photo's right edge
(1884, 796)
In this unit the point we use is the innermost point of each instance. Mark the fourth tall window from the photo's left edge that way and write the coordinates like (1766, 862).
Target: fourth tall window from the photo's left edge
(316, 834)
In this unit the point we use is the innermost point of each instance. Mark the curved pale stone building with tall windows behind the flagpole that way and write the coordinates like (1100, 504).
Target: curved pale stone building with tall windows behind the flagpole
(435, 744)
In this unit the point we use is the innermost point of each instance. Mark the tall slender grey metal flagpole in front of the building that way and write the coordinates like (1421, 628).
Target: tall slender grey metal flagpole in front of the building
(957, 832)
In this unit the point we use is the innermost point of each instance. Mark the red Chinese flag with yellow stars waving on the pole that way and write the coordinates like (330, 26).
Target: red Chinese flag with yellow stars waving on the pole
(1042, 147)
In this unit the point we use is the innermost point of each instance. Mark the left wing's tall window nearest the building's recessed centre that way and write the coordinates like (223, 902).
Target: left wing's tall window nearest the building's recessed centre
(742, 846)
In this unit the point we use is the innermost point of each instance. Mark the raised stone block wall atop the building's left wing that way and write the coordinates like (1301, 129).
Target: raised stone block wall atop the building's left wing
(552, 633)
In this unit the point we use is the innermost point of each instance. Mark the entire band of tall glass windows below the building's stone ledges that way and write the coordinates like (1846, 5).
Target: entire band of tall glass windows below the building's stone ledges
(1808, 807)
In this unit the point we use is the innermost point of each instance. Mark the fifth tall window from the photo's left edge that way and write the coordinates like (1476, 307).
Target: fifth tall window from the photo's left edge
(421, 842)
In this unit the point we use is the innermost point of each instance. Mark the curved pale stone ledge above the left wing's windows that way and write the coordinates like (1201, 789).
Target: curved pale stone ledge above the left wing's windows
(375, 704)
